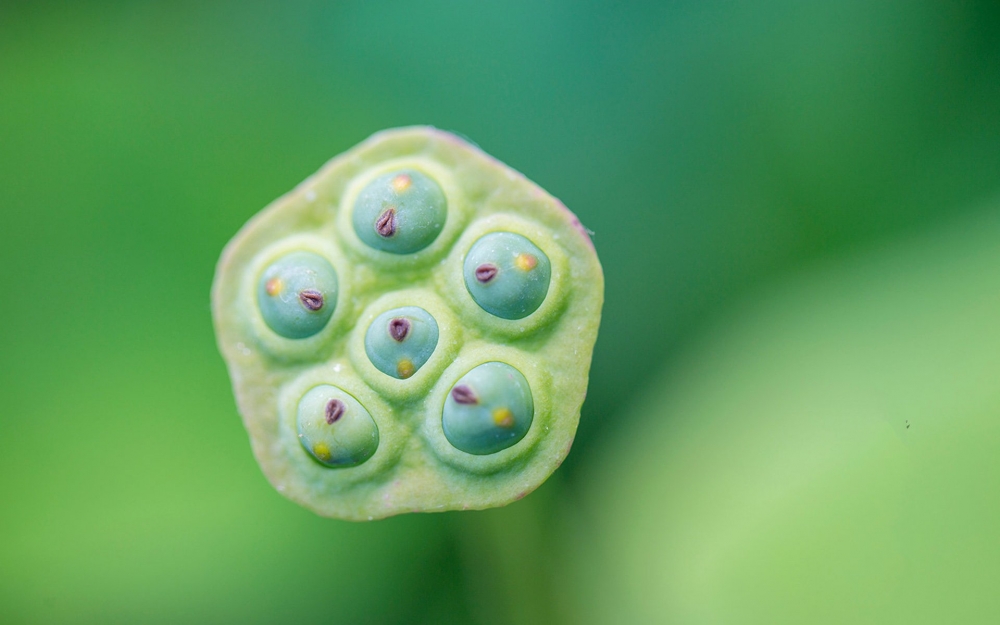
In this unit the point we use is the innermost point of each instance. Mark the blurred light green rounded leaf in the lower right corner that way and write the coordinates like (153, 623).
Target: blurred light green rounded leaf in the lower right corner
(829, 455)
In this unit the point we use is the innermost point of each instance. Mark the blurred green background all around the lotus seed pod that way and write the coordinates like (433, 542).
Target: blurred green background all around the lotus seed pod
(794, 403)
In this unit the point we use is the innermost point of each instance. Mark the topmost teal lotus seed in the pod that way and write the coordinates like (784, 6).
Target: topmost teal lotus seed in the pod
(400, 212)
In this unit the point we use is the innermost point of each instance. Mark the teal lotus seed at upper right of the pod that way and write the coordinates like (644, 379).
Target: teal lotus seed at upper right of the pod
(507, 275)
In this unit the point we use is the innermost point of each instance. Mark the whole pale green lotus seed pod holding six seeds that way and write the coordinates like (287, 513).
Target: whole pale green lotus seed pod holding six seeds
(409, 330)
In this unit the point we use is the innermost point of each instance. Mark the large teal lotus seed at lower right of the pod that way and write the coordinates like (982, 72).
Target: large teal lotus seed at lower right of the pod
(488, 410)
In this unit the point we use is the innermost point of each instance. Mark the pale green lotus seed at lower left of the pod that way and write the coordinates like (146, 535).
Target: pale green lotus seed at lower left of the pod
(335, 428)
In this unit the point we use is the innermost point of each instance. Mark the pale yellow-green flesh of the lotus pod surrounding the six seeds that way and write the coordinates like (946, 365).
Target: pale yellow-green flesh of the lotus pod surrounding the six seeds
(414, 468)
